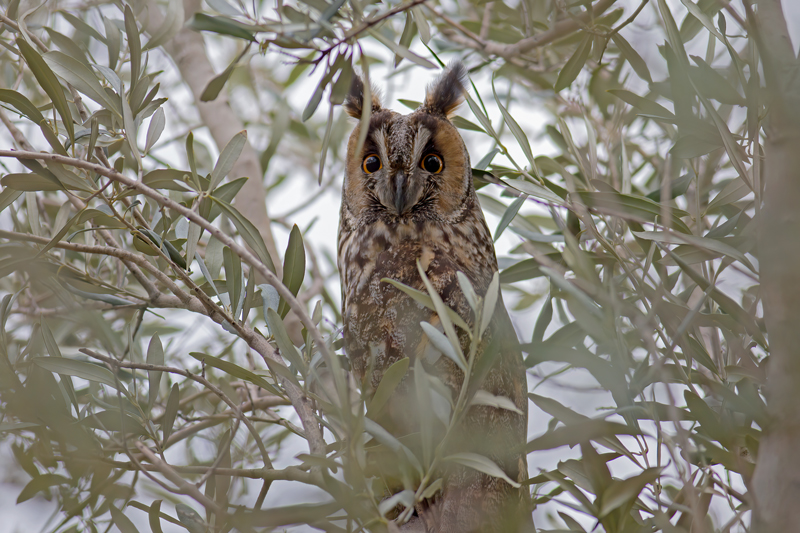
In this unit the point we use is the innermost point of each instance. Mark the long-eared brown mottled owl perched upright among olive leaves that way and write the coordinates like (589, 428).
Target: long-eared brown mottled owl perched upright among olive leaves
(408, 199)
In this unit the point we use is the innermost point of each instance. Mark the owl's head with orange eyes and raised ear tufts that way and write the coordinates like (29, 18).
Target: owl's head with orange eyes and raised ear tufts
(411, 167)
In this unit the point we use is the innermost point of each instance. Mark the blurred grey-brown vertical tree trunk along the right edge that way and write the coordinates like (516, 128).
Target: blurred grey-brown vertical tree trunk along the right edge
(776, 482)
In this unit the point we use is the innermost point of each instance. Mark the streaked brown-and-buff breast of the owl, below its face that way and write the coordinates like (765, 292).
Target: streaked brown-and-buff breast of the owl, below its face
(381, 322)
